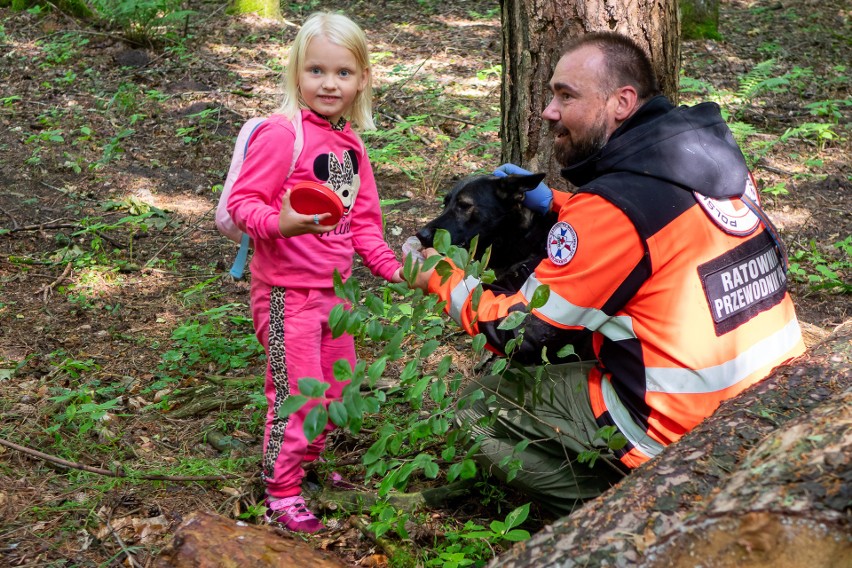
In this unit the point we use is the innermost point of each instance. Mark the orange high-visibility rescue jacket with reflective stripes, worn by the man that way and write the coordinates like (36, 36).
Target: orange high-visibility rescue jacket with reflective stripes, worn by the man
(685, 308)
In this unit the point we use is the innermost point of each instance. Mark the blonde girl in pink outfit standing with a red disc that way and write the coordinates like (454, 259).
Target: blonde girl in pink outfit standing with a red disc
(328, 85)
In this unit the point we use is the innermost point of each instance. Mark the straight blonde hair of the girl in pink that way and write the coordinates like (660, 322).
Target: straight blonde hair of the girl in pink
(338, 29)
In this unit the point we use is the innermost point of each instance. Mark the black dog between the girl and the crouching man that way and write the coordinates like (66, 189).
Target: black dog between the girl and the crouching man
(492, 207)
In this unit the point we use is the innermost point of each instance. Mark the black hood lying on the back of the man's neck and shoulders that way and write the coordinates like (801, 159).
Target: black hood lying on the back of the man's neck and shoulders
(690, 147)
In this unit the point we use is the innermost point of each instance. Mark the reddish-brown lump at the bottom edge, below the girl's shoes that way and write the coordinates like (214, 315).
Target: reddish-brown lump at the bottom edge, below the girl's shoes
(208, 540)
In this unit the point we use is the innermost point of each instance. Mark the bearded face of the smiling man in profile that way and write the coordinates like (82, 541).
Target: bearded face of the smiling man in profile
(580, 114)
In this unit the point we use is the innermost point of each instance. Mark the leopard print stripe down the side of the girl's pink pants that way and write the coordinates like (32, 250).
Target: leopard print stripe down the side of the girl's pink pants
(278, 366)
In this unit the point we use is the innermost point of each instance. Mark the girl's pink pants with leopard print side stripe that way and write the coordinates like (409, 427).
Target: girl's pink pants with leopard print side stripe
(292, 326)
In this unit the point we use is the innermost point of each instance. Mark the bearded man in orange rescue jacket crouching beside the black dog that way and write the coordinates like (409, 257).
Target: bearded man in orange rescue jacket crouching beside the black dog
(662, 258)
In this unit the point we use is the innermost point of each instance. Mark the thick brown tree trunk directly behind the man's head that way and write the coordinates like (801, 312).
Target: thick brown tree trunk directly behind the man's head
(534, 32)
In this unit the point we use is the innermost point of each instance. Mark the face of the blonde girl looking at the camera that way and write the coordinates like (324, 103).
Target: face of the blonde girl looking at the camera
(330, 78)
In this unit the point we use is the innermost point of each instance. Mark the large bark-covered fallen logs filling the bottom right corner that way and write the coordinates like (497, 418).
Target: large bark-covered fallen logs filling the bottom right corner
(763, 482)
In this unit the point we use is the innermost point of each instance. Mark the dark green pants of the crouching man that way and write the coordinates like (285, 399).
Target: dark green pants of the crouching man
(556, 417)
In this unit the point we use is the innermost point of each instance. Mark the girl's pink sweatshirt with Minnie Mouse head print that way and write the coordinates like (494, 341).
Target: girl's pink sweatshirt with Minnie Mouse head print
(335, 158)
